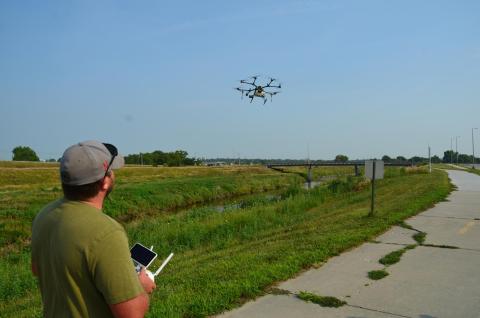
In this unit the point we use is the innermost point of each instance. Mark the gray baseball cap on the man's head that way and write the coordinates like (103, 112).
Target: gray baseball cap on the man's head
(88, 161)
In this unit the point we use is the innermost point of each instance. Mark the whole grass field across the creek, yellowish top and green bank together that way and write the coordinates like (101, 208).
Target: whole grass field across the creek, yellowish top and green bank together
(139, 192)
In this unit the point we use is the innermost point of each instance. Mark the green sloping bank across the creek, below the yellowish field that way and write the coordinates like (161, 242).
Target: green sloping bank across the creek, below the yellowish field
(131, 201)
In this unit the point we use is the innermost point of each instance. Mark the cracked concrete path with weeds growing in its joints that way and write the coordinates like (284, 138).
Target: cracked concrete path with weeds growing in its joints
(429, 281)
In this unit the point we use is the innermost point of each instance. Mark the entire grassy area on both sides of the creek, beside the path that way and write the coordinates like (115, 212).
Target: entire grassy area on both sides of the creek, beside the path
(222, 259)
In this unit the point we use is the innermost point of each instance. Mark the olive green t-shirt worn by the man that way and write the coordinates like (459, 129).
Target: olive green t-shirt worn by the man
(83, 261)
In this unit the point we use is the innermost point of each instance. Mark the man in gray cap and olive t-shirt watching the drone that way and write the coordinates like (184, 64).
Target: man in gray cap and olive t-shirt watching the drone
(79, 254)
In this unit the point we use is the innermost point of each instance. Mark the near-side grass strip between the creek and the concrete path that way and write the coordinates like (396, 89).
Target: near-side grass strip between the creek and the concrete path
(223, 259)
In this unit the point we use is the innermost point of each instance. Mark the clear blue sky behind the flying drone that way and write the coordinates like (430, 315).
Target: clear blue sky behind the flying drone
(361, 78)
